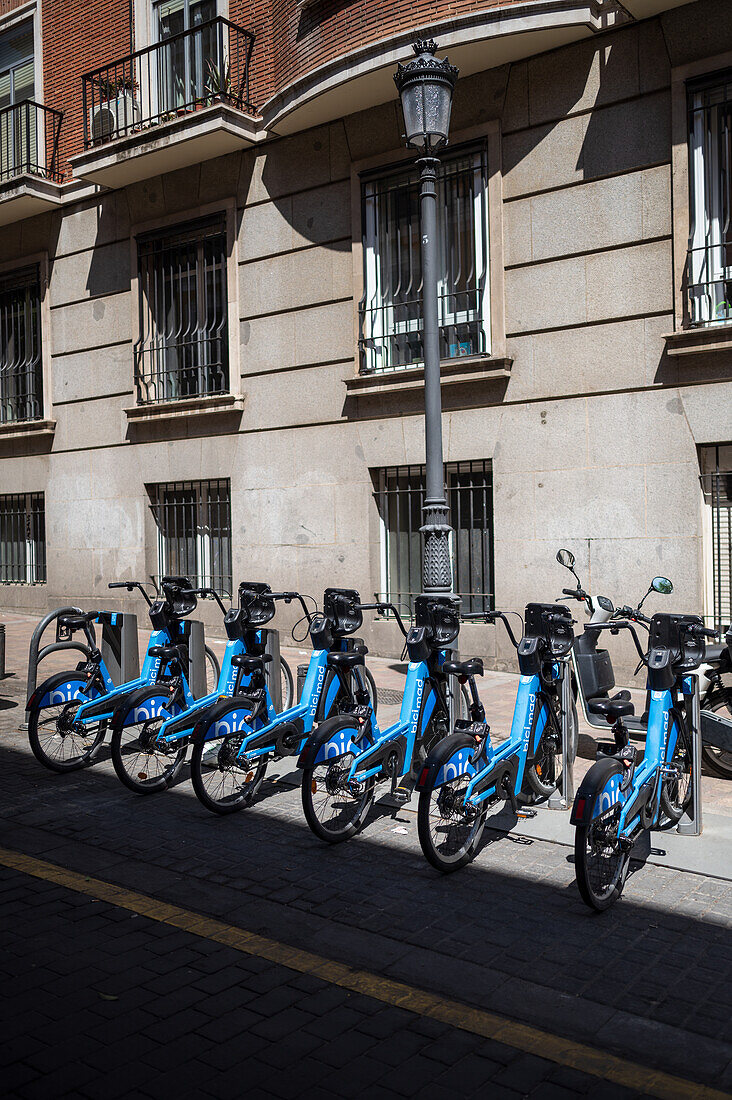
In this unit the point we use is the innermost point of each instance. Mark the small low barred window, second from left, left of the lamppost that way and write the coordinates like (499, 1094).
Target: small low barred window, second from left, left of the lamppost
(194, 532)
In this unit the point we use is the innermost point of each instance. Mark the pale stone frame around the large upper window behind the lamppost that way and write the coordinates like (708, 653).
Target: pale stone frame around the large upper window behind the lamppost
(490, 135)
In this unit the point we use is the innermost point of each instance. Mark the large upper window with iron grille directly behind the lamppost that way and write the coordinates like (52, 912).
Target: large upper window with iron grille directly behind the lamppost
(391, 321)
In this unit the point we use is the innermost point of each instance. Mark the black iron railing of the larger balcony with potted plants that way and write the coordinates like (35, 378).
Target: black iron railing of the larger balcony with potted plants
(209, 64)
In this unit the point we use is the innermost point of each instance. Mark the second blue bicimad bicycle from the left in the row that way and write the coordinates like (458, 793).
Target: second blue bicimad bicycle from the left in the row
(151, 732)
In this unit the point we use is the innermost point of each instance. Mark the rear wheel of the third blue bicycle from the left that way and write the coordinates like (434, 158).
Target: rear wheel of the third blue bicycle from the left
(223, 782)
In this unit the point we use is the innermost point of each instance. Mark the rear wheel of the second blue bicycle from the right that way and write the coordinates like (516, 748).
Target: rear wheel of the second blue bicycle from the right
(450, 829)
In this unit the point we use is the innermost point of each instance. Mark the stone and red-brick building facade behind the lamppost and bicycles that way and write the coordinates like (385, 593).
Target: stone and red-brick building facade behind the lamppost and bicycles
(218, 303)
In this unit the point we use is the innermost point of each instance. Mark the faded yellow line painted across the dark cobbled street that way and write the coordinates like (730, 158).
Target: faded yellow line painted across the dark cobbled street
(543, 1044)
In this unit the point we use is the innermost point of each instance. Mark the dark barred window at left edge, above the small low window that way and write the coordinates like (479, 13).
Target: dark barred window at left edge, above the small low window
(21, 369)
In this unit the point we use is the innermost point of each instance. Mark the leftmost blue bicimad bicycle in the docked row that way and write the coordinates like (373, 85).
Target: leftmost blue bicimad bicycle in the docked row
(70, 712)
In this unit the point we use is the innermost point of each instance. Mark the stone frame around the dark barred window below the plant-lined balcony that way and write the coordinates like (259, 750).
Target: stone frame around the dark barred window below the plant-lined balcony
(170, 223)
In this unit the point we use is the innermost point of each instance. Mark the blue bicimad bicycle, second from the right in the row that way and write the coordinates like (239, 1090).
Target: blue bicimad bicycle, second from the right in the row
(465, 774)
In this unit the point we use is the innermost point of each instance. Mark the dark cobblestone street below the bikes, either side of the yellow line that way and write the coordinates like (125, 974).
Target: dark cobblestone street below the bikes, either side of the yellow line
(100, 1002)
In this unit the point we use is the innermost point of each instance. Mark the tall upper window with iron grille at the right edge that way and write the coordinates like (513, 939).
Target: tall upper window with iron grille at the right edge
(709, 265)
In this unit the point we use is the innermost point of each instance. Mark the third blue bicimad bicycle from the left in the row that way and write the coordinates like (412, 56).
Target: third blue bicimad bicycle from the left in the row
(236, 741)
